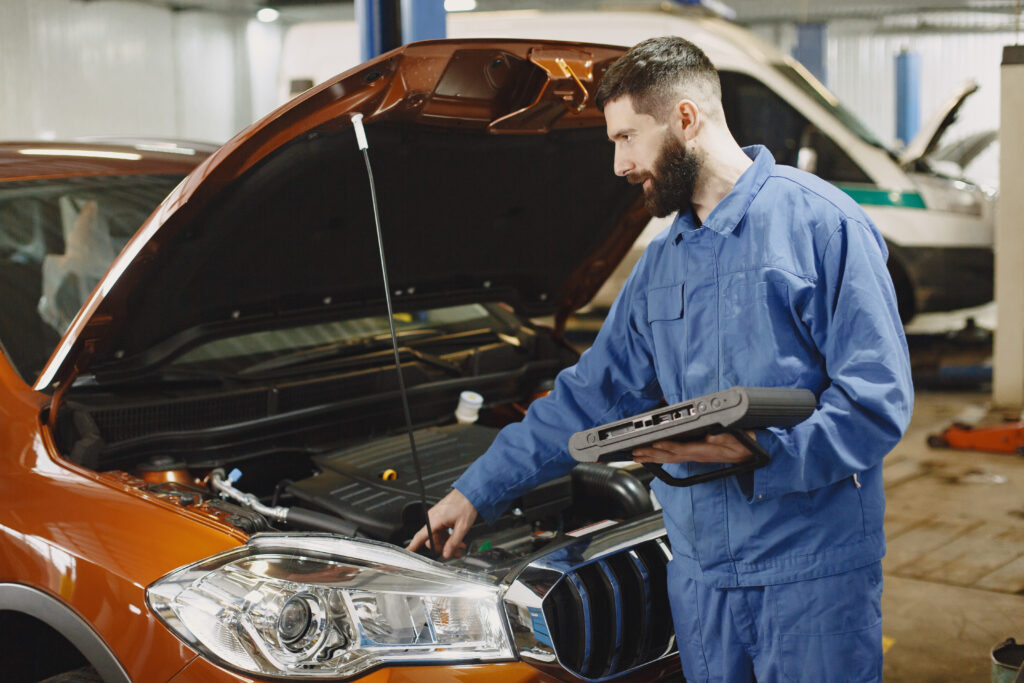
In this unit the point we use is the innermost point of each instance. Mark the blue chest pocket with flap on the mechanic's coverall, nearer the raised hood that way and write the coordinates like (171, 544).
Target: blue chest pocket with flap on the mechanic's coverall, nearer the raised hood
(666, 316)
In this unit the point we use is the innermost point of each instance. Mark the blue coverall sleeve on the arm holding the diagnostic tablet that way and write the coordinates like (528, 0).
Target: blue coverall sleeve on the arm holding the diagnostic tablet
(866, 409)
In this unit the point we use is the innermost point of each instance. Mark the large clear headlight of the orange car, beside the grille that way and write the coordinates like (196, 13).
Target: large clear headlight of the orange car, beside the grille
(321, 607)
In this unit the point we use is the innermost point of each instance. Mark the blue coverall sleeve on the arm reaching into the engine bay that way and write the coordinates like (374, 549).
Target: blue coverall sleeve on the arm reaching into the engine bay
(614, 378)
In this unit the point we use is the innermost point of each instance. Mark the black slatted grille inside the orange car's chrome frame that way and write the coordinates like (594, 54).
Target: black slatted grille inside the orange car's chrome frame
(612, 617)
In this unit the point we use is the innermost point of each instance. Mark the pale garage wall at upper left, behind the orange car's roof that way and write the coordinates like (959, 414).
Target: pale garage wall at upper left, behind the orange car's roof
(71, 69)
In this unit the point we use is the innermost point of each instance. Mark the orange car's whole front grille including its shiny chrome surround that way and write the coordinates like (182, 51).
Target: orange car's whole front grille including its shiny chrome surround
(596, 609)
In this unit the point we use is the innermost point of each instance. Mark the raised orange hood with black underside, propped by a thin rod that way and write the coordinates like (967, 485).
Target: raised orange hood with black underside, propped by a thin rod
(494, 180)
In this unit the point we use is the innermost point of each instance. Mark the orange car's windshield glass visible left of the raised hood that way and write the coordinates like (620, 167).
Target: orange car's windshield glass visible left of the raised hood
(58, 239)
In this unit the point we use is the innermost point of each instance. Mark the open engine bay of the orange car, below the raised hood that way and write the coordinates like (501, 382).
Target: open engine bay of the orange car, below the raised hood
(325, 449)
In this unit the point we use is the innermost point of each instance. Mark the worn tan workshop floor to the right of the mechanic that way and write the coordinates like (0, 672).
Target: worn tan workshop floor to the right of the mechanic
(955, 569)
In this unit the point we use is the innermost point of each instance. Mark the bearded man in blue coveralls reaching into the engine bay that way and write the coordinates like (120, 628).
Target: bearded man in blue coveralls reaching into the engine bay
(769, 277)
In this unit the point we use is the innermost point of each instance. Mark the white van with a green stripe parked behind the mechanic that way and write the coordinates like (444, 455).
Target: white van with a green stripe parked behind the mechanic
(940, 228)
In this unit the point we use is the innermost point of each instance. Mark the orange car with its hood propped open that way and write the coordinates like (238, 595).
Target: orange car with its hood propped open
(206, 472)
